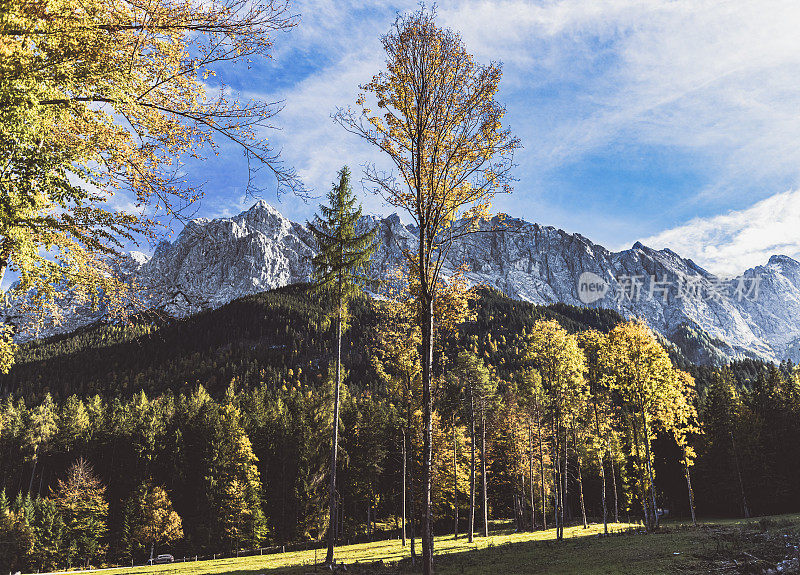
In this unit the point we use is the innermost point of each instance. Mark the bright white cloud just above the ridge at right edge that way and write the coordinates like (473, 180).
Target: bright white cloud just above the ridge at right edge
(730, 243)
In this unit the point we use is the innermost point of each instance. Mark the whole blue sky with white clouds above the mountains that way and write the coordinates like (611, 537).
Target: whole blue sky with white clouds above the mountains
(675, 122)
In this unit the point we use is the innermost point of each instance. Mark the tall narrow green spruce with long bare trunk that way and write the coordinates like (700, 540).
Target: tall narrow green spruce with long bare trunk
(343, 254)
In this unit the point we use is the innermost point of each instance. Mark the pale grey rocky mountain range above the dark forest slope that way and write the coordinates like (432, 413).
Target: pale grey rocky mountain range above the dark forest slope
(755, 315)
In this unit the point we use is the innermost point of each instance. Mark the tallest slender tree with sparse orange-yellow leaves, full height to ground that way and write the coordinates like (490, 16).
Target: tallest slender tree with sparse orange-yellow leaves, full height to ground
(432, 112)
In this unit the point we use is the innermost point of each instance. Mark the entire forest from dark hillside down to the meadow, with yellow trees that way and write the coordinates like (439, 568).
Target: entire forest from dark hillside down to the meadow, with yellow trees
(559, 413)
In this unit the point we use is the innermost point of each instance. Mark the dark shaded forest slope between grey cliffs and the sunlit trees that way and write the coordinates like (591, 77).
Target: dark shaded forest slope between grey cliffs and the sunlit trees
(250, 342)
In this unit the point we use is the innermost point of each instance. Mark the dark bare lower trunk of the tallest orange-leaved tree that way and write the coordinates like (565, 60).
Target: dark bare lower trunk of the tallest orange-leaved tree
(427, 450)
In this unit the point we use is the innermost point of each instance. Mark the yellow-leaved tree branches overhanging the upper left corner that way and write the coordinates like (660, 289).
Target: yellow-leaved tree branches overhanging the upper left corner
(100, 104)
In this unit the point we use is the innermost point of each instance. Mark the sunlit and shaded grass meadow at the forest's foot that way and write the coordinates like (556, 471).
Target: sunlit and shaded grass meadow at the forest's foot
(713, 547)
